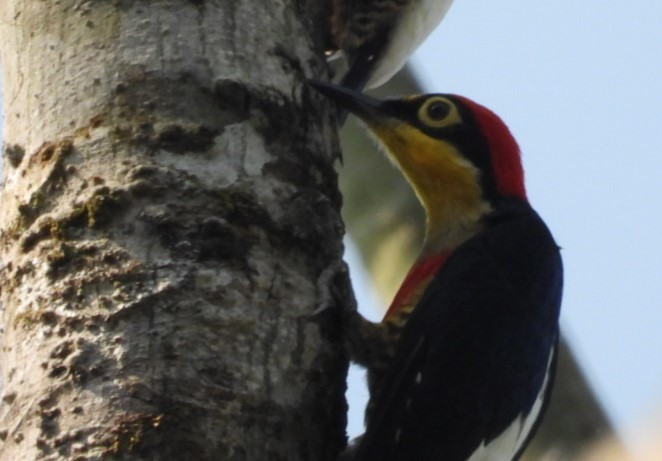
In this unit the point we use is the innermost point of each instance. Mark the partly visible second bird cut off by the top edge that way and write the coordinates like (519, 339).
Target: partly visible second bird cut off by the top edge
(377, 36)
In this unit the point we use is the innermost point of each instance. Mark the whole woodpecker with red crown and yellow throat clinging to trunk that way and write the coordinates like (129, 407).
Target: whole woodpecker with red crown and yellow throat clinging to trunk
(462, 366)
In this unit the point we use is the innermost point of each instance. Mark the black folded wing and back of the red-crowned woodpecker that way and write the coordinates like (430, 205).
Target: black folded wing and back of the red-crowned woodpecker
(475, 352)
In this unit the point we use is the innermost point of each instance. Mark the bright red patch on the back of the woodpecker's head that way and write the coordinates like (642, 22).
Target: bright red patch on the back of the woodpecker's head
(506, 156)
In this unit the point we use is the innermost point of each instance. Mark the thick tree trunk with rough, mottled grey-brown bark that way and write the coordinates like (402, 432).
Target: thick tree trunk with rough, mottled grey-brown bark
(169, 218)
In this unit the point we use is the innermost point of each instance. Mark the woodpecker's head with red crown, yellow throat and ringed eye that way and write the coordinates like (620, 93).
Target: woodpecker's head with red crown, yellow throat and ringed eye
(459, 156)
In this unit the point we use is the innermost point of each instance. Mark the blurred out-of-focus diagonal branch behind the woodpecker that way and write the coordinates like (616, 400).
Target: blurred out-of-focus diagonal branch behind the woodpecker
(385, 219)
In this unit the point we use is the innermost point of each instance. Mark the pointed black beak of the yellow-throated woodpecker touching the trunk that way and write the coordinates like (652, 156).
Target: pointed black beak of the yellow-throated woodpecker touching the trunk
(364, 107)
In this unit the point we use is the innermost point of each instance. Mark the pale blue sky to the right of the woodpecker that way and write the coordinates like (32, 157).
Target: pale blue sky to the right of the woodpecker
(580, 85)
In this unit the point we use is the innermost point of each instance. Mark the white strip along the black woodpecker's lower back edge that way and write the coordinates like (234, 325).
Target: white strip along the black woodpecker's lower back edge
(509, 442)
